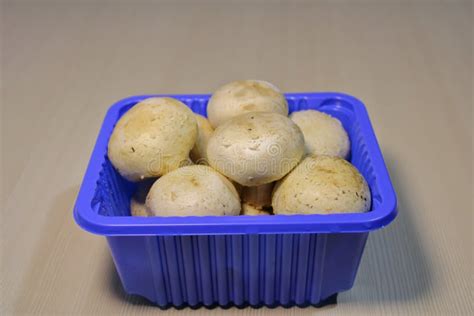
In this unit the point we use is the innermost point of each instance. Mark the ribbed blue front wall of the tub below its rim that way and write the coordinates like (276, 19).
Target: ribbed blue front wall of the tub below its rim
(256, 270)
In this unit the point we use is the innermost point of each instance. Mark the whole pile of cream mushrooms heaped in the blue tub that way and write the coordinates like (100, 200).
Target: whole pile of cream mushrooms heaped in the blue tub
(247, 158)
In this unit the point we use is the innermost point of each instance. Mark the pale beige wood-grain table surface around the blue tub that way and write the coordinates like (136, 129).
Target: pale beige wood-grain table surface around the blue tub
(64, 63)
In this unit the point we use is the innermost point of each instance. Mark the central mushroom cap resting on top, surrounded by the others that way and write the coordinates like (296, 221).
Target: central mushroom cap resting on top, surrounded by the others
(256, 148)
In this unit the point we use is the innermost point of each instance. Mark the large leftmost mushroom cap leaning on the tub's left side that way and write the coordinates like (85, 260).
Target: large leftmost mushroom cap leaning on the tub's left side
(152, 138)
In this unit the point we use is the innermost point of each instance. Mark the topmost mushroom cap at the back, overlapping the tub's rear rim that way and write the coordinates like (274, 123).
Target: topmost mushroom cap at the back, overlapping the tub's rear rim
(244, 96)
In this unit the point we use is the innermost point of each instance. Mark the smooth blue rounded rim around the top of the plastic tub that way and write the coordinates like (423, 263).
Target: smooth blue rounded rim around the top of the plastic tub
(88, 218)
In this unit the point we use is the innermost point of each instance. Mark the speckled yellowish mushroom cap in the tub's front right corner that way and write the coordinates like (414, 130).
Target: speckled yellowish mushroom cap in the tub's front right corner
(322, 185)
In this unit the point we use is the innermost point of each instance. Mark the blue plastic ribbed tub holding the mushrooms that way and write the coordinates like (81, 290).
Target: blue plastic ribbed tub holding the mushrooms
(237, 260)
